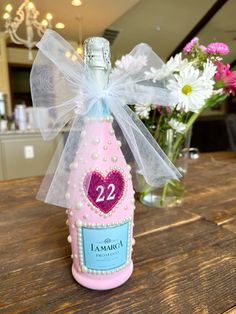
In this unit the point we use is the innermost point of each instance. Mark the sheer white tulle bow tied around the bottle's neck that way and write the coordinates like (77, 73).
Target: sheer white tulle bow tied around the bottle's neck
(64, 95)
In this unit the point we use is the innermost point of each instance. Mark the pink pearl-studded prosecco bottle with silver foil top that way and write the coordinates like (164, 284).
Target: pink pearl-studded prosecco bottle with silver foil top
(100, 187)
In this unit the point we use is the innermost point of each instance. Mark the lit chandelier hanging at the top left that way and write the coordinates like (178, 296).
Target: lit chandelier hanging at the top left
(27, 12)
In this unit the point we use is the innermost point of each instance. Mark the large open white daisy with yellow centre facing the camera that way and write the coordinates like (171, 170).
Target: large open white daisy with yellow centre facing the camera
(190, 90)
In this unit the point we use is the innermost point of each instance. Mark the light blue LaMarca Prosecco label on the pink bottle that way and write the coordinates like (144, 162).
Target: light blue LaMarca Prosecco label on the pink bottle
(104, 248)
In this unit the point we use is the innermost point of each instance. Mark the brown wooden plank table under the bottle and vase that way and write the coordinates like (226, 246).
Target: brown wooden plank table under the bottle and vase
(185, 258)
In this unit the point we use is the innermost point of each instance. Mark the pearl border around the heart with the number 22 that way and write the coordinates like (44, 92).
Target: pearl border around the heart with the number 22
(126, 177)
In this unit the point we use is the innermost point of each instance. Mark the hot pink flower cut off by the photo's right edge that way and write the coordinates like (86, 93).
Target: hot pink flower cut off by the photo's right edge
(226, 77)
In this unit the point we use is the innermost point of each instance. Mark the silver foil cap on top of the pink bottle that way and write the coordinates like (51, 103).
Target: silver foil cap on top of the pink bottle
(97, 53)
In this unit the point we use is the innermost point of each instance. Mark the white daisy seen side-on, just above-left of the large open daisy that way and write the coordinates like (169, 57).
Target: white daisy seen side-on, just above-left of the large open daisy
(173, 65)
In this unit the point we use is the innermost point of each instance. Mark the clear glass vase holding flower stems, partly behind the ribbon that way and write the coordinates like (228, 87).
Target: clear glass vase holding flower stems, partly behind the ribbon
(176, 146)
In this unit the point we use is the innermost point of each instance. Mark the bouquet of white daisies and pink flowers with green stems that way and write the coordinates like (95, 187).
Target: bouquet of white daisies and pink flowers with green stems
(198, 80)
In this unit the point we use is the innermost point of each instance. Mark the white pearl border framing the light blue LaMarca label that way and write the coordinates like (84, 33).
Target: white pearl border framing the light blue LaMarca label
(80, 224)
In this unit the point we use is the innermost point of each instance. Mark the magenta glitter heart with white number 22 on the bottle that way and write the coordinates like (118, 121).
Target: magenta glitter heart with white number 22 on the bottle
(104, 192)
